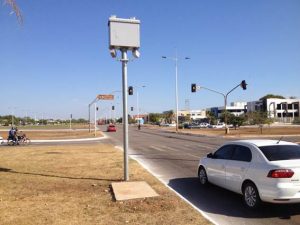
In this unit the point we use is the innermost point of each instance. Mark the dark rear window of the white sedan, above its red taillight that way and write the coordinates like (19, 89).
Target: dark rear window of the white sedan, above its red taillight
(281, 152)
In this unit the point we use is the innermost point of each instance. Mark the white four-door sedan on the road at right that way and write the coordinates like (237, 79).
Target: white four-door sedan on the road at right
(260, 170)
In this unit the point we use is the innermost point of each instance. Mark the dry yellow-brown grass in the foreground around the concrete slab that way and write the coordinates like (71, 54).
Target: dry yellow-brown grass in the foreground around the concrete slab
(71, 185)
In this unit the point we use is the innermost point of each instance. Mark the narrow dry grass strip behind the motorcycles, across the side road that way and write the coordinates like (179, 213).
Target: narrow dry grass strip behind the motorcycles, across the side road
(57, 134)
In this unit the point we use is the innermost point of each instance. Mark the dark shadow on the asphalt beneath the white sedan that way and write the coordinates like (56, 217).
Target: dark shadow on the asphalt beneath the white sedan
(216, 200)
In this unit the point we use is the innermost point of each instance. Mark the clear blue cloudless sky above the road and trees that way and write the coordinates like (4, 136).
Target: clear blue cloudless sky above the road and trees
(57, 62)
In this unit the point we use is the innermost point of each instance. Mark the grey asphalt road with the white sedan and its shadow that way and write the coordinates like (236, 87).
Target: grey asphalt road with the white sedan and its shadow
(174, 158)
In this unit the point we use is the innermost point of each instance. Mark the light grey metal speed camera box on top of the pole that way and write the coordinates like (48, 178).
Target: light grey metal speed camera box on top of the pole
(124, 33)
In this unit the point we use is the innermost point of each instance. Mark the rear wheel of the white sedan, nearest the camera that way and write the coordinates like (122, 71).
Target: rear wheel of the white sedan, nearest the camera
(251, 196)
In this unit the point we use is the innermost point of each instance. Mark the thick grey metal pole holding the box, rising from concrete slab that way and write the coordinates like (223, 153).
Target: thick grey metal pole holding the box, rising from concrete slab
(125, 113)
